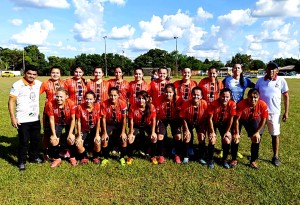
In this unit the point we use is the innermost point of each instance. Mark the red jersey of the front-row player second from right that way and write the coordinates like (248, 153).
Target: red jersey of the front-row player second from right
(221, 114)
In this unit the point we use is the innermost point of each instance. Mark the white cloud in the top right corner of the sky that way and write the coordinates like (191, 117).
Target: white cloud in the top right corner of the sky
(275, 8)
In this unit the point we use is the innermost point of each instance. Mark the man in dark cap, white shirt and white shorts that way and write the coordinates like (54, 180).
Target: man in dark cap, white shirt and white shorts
(271, 88)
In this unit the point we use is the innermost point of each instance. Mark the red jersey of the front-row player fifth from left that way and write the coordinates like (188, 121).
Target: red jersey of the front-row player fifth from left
(167, 110)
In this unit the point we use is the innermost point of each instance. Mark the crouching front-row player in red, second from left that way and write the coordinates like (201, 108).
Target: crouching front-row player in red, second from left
(88, 128)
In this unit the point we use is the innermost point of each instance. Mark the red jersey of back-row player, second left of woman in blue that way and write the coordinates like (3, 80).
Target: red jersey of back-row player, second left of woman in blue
(183, 90)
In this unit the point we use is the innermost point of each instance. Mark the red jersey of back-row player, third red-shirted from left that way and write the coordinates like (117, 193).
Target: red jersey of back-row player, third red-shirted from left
(100, 89)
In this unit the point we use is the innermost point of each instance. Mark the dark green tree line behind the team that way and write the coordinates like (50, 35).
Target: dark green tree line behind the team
(13, 59)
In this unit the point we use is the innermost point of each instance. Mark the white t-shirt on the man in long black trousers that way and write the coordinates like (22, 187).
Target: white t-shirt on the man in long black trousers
(27, 100)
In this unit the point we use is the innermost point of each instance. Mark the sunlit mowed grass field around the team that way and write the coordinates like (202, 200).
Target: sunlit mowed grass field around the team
(144, 183)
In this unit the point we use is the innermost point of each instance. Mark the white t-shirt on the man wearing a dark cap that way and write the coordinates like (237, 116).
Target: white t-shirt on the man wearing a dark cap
(271, 91)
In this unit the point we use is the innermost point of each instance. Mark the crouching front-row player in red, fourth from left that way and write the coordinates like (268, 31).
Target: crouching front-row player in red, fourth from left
(142, 118)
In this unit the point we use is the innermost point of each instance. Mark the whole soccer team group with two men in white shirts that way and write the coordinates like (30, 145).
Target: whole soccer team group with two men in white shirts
(84, 119)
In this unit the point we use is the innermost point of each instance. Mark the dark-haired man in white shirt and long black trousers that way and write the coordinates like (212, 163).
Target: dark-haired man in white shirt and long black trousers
(23, 106)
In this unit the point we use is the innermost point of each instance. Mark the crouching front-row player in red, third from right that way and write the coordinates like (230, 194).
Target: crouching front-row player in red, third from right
(194, 115)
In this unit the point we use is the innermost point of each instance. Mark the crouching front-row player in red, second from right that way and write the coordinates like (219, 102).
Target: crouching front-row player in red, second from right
(220, 116)
